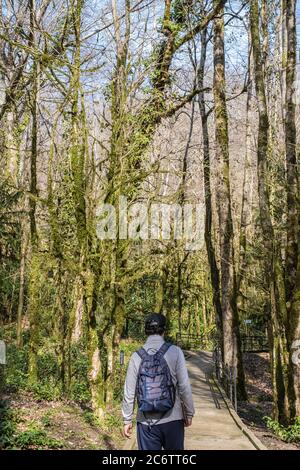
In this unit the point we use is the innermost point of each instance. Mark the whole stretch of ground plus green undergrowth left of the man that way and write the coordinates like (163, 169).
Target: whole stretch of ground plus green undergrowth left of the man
(43, 416)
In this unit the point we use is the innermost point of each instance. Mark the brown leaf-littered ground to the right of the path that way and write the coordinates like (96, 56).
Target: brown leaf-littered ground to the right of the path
(259, 388)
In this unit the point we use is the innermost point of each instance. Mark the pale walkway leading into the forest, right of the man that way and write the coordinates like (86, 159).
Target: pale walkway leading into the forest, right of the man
(213, 426)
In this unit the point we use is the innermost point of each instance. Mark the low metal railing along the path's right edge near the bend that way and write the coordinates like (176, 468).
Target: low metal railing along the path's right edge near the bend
(226, 376)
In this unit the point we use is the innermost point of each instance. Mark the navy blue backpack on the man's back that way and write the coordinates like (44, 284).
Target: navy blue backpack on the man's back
(155, 388)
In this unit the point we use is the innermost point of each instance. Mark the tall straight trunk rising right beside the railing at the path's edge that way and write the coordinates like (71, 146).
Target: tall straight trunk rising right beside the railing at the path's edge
(230, 322)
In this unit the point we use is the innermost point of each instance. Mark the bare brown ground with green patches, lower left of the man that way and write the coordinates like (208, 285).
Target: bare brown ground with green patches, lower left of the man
(28, 423)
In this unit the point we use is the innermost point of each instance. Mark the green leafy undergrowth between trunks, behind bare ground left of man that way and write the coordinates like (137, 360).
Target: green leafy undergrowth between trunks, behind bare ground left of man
(49, 385)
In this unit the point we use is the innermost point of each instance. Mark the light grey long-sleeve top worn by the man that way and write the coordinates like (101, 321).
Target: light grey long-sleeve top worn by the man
(176, 362)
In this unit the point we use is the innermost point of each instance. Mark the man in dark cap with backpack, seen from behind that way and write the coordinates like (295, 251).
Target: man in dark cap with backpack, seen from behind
(157, 377)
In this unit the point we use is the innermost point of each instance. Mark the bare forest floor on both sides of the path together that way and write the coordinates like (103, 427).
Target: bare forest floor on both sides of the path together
(28, 422)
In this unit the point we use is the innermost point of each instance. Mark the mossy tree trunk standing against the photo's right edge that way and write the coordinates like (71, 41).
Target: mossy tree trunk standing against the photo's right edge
(292, 273)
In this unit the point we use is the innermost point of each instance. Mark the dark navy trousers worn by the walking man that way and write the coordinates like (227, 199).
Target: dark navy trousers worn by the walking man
(167, 436)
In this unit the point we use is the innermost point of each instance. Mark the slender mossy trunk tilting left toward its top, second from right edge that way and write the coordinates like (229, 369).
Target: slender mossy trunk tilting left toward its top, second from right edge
(272, 263)
